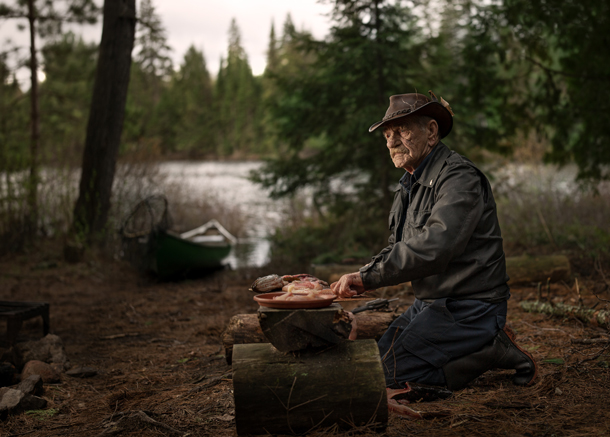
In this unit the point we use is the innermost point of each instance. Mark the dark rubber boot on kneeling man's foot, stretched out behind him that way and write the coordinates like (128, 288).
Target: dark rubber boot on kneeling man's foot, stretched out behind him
(501, 353)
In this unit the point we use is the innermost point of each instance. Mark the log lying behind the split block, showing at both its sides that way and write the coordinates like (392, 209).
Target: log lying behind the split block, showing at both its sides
(244, 328)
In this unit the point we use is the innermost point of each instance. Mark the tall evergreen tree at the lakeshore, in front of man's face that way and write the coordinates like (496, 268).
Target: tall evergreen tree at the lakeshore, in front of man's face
(334, 91)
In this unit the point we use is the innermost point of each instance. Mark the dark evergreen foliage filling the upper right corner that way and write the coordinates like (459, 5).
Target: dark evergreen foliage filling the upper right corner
(560, 49)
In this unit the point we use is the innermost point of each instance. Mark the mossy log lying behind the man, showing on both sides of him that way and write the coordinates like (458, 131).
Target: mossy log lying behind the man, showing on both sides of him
(520, 269)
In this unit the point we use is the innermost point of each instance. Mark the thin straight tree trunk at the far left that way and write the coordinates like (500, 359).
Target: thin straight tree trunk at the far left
(32, 191)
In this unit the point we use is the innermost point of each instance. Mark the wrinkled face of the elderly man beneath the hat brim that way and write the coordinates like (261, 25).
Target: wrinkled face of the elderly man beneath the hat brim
(408, 143)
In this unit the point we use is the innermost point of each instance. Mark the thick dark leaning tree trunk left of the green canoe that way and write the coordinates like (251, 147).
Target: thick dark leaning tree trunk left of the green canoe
(105, 120)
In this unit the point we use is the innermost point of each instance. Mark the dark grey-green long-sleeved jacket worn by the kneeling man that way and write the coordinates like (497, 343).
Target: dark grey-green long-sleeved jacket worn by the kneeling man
(450, 243)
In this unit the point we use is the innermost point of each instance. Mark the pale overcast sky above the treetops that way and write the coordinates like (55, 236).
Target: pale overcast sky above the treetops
(205, 24)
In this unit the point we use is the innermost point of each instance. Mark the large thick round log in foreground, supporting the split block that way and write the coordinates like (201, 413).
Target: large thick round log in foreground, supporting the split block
(277, 393)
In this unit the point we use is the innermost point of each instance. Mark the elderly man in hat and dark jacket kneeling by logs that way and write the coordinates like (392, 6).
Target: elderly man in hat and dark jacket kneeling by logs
(445, 239)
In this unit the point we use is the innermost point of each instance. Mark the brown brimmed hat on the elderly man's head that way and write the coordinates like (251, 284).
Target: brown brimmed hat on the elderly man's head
(402, 105)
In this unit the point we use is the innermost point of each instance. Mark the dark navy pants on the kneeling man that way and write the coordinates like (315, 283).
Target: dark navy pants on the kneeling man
(422, 340)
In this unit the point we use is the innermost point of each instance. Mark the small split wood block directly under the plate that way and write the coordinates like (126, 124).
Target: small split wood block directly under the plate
(292, 330)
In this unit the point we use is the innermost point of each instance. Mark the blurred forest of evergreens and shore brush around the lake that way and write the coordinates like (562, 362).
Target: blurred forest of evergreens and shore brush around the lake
(528, 81)
